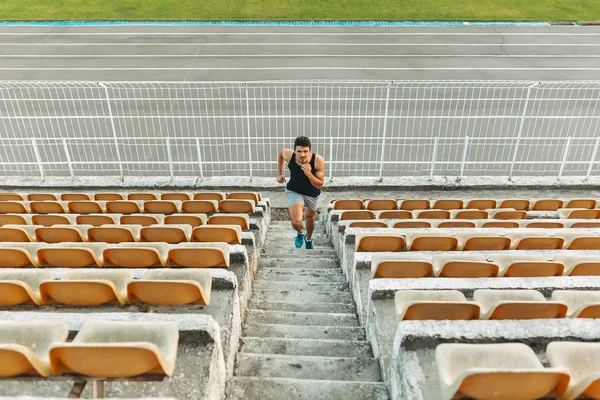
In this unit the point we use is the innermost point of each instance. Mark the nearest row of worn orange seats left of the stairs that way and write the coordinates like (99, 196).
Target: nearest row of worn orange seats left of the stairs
(106, 349)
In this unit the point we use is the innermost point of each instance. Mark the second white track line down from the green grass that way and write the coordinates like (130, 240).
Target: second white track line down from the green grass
(298, 44)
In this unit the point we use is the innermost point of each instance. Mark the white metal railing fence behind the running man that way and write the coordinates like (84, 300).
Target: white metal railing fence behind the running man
(362, 128)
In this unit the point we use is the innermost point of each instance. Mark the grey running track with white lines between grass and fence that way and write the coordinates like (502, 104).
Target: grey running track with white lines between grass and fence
(231, 53)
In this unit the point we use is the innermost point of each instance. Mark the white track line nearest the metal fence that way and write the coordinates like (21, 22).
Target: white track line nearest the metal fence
(294, 69)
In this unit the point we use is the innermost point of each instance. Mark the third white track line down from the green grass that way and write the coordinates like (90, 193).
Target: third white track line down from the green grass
(299, 56)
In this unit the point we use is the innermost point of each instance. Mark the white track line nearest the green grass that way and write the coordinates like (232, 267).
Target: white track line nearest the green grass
(297, 34)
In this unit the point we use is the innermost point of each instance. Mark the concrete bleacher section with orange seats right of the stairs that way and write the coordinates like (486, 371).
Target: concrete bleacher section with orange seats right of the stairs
(468, 276)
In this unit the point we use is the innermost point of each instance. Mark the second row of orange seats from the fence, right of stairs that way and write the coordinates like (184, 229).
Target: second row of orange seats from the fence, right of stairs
(469, 214)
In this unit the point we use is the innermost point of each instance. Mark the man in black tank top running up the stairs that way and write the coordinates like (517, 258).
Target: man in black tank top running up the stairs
(307, 175)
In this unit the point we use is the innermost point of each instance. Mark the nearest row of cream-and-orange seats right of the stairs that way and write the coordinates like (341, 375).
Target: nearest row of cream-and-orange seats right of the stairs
(513, 371)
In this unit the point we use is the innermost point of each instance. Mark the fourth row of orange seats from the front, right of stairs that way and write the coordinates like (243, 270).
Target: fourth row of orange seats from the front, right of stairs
(477, 239)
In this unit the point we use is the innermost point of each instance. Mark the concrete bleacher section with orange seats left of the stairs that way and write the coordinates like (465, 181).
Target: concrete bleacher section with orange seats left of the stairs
(66, 257)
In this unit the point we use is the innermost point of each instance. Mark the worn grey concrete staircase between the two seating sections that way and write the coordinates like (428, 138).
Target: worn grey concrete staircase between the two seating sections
(301, 338)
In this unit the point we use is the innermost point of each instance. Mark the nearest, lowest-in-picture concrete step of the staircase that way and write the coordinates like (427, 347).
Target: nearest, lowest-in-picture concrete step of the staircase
(244, 388)
